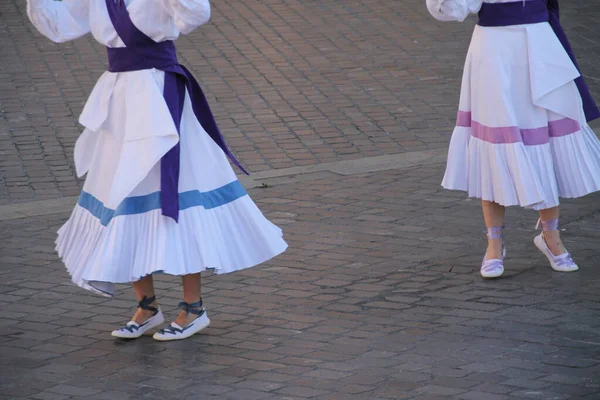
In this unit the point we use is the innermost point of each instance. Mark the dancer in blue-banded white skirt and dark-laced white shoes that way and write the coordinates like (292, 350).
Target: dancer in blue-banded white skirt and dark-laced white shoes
(160, 195)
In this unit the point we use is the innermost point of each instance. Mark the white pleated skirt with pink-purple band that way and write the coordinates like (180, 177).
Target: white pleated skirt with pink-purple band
(521, 137)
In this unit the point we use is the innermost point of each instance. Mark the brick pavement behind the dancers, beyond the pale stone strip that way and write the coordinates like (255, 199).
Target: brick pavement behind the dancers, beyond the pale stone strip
(290, 84)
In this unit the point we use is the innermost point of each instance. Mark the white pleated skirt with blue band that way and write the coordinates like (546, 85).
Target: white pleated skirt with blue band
(117, 233)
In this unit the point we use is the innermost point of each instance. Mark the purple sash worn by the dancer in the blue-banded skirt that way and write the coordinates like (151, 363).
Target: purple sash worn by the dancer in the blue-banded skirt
(144, 53)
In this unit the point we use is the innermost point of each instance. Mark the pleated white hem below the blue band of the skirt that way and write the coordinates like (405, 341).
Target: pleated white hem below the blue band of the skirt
(225, 239)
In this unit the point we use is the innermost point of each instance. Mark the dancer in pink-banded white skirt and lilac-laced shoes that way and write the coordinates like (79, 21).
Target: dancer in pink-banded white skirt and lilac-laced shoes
(522, 135)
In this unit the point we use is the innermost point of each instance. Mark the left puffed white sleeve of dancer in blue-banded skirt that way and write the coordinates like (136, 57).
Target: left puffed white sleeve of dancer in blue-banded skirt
(60, 20)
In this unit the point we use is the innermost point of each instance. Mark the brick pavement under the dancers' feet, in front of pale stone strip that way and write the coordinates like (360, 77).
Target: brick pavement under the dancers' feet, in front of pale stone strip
(378, 297)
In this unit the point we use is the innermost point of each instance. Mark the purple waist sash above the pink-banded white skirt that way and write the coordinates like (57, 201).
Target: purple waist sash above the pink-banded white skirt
(532, 12)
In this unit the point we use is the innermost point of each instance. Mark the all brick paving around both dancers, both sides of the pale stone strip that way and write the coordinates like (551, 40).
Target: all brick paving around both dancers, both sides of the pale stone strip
(379, 295)
